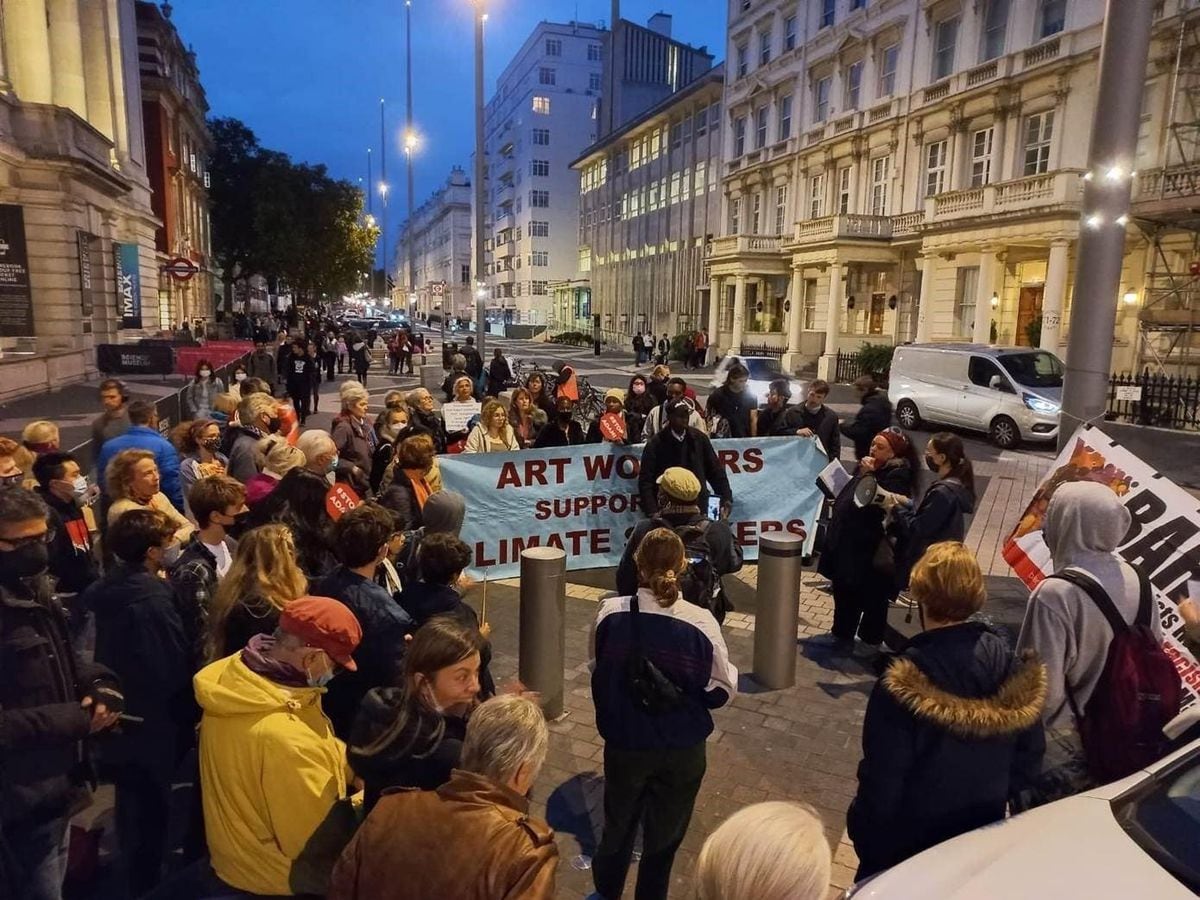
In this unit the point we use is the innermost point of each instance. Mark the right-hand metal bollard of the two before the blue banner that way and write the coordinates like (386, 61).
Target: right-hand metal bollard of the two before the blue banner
(778, 616)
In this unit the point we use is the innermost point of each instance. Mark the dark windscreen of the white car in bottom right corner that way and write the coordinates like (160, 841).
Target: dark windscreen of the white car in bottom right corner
(1165, 819)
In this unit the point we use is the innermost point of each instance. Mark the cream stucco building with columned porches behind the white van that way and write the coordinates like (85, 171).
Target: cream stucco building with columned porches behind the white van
(913, 170)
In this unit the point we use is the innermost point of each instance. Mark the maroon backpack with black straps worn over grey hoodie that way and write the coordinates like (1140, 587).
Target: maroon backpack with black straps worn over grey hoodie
(1138, 694)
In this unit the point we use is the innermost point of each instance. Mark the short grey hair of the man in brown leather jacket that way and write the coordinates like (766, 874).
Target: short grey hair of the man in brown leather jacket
(503, 735)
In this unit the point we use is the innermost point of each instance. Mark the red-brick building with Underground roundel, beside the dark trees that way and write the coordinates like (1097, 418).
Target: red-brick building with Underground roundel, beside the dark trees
(178, 147)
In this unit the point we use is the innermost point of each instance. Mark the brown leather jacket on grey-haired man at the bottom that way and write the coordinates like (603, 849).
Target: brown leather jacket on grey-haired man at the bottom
(475, 841)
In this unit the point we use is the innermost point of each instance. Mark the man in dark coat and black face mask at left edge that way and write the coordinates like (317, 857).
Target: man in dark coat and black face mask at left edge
(50, 704)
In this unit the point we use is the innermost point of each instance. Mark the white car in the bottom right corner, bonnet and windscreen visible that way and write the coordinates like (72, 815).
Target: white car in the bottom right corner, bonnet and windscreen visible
(1136, 838)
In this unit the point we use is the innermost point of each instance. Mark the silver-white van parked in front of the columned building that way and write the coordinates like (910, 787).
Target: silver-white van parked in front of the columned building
(1012, 393)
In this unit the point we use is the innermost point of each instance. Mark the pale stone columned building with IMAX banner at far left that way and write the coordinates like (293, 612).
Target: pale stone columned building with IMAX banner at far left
(77, 230)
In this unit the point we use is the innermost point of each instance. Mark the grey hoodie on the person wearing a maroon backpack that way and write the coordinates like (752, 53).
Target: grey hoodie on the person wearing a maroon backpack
(1084, 526)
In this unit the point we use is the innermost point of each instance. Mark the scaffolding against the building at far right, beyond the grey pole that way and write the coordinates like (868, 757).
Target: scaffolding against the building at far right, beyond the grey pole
(1167, 212)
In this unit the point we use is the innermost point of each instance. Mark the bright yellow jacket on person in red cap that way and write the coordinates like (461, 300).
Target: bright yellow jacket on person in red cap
(271, 773)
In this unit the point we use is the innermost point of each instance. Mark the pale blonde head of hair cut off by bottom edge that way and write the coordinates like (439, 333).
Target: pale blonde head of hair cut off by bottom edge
(770, 851)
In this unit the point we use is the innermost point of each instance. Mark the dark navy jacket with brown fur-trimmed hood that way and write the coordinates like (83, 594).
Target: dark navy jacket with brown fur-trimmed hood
(952, 730)
